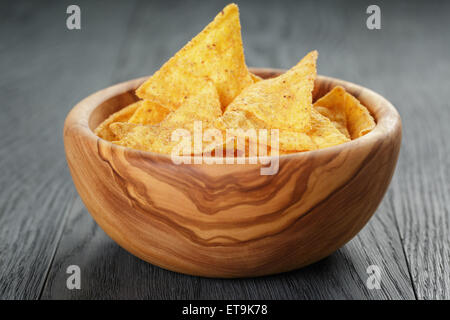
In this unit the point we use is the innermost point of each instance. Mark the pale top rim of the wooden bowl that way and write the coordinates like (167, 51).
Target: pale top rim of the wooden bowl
(81, 113)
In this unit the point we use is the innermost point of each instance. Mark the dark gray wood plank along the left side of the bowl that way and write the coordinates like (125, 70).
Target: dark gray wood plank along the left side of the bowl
(46, 69)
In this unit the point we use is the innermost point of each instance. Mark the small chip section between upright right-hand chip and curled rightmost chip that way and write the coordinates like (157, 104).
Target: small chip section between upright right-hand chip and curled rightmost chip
(323, 133)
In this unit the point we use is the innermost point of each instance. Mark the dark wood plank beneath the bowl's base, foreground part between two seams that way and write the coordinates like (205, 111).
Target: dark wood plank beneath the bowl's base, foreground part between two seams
(109, 272)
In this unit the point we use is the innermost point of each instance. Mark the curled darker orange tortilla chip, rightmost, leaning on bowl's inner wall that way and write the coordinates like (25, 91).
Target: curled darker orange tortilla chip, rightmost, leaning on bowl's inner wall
(345, 112)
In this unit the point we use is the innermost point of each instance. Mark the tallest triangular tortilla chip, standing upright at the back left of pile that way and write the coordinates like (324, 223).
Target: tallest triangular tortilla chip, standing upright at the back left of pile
(216, 53)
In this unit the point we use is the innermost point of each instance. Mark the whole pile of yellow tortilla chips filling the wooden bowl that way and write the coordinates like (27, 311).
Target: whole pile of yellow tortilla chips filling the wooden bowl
(208, 81)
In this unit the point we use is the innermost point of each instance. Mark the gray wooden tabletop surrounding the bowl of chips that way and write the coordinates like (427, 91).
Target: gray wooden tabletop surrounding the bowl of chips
(46, 69)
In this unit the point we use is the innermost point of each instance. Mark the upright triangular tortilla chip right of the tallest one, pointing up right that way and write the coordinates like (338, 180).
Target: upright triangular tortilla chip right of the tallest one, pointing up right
(283, 102)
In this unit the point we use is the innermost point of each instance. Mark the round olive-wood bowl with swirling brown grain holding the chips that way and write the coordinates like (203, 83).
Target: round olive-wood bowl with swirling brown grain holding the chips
(228, 220)
